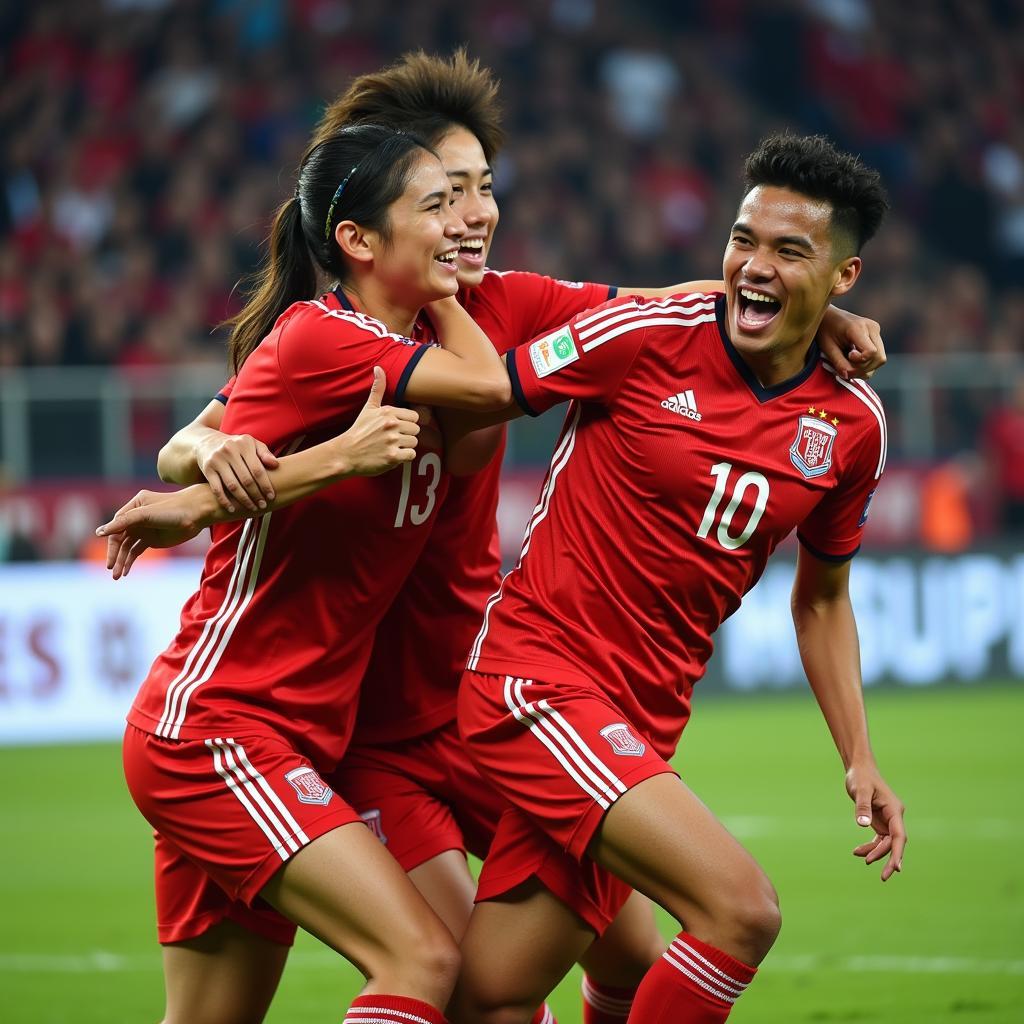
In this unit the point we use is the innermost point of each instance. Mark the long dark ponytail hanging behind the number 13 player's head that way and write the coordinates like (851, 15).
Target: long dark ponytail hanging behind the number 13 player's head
(289, 276)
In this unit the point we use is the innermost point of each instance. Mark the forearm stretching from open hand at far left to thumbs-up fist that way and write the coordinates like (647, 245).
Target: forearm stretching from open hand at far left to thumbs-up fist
(380, 439)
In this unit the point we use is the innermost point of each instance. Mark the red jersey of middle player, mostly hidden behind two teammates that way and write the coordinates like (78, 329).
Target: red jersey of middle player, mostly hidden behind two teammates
(421, 645)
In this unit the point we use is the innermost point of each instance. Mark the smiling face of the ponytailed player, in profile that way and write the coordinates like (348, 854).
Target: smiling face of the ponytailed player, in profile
(418, 262)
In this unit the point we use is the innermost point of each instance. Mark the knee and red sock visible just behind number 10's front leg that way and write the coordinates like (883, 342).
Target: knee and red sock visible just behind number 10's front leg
(617, 963)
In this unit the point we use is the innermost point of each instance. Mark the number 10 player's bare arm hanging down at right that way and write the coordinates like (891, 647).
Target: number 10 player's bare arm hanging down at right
(827, 634)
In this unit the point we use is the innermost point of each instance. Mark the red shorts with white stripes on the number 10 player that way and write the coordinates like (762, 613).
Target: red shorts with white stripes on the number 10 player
(562, 754)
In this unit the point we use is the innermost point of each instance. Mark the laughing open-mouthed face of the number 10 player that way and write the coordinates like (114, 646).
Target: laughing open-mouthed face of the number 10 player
(781, 272)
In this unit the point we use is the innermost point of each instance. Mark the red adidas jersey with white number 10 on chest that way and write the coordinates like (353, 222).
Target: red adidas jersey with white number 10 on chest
(675, 478)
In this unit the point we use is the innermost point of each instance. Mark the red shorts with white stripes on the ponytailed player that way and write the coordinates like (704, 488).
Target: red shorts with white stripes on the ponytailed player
(234, 809)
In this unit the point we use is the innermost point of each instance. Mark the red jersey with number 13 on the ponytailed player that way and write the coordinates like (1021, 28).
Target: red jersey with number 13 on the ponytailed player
(281, 629)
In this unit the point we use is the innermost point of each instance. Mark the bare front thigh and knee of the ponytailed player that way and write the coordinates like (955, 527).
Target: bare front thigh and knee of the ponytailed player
(349, 891)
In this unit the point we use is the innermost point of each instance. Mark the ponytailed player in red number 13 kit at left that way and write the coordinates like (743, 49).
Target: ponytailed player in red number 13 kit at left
(242, 717)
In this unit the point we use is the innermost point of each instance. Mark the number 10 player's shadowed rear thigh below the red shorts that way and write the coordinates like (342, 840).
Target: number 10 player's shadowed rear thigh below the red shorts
(518, 948)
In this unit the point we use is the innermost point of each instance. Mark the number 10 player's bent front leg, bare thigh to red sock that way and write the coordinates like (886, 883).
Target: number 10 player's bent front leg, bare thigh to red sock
(662, 840)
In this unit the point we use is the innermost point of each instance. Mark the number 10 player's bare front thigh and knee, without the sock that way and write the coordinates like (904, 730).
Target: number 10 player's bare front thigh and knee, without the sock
(662, 840)
